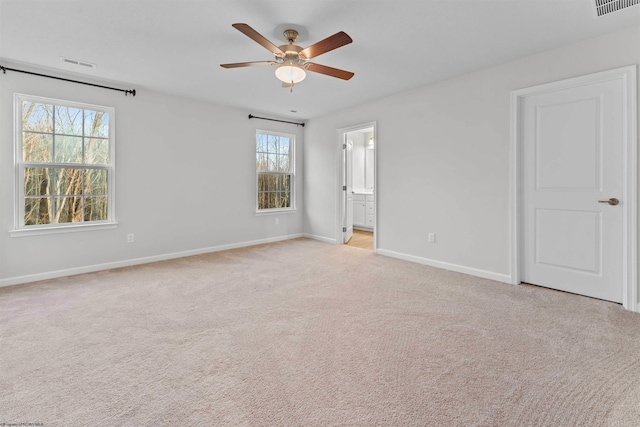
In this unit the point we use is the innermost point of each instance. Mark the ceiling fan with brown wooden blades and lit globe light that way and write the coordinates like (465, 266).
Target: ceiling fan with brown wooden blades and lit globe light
(293, 61)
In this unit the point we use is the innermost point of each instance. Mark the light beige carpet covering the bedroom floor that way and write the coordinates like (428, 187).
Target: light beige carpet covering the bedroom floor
(303, 333)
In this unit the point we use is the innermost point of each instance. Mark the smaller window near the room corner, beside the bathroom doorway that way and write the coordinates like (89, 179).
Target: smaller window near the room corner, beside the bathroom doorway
(274, 166)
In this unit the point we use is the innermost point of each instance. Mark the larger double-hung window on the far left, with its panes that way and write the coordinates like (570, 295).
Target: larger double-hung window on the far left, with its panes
(64, 164)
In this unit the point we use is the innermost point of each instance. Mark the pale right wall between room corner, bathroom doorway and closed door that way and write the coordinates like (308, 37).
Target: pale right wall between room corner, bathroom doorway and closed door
(443, 158)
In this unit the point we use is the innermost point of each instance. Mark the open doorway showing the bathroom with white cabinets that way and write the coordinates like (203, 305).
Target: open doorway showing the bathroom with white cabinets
(358, 199)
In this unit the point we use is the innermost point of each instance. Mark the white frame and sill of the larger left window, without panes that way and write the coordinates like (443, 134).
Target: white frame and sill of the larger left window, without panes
(20, 229)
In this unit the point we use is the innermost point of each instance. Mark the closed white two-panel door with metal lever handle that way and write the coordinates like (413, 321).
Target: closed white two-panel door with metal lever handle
(573, 144)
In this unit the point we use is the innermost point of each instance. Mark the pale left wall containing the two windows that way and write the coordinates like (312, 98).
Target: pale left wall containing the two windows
(185, 182)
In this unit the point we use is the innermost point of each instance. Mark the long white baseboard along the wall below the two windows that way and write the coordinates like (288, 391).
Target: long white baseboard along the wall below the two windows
(136, 261)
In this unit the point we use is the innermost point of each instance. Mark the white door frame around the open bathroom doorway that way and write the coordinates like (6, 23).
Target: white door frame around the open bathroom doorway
(340, 167)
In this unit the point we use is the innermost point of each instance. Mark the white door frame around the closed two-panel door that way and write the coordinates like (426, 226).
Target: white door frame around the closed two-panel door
(630, 192)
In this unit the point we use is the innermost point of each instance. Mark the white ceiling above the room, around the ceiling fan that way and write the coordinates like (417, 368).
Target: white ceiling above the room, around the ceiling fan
(176, 46)
